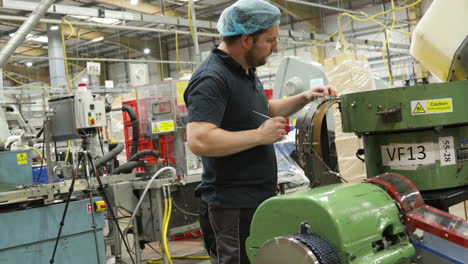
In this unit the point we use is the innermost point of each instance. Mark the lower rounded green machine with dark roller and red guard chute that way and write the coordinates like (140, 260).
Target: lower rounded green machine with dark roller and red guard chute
(353, 223)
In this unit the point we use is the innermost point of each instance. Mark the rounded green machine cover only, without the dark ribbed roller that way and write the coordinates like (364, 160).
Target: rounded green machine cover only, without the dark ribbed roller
(353, 218)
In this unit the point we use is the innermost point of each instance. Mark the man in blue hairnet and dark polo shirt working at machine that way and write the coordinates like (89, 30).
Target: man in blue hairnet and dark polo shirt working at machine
(224, 97)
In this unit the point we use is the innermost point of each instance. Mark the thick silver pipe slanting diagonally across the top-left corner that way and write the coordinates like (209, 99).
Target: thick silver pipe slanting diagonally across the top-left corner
(25, 28)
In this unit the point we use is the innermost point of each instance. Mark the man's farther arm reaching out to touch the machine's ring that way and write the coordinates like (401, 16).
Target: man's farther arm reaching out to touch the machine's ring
(288, 106)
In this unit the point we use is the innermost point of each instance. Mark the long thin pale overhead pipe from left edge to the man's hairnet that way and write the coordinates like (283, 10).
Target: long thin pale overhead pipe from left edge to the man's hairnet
(100, 25)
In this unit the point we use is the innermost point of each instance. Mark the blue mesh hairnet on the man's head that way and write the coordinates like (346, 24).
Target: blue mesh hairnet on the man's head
(247, 17)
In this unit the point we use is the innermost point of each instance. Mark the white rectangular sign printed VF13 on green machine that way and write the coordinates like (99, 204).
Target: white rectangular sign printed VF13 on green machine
(408, 154)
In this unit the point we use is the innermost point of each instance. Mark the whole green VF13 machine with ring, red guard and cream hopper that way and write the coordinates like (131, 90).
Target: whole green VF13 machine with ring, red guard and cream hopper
(418, 132)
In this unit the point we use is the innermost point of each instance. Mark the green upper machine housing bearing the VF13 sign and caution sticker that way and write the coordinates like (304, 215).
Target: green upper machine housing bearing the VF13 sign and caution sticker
(420, 132)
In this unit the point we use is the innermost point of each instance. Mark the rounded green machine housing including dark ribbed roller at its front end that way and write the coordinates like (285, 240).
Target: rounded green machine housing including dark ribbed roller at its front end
(338, 223)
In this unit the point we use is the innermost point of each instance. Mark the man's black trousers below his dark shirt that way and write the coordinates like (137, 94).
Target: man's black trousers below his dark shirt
(224, 232)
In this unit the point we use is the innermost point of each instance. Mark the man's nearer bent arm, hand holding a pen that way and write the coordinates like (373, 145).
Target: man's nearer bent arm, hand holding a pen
(207, 139)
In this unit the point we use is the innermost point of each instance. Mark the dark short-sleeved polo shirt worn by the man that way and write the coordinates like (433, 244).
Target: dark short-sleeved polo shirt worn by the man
(220, 92)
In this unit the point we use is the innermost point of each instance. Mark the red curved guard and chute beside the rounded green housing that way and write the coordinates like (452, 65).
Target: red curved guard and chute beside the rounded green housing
(420, 215)
